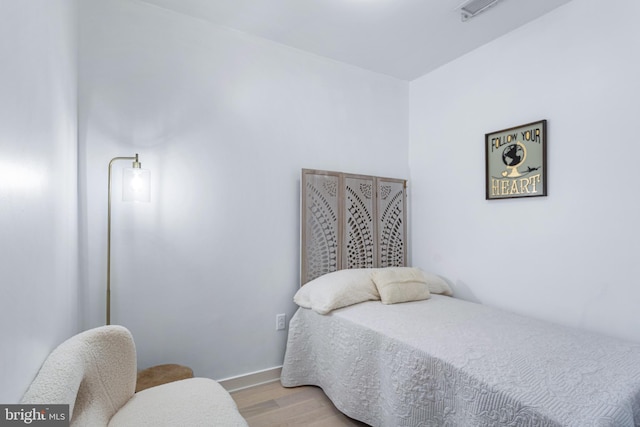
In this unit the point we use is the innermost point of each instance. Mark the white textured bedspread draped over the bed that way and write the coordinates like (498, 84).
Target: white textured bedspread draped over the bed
(448, 362)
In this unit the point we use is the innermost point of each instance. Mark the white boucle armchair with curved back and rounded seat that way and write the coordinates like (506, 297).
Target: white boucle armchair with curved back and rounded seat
(95, 373)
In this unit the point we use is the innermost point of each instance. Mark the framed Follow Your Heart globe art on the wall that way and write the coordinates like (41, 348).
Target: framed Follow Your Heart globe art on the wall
(516, 162)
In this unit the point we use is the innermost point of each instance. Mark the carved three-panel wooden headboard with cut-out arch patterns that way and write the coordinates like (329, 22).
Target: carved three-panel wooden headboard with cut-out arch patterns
(351, 221)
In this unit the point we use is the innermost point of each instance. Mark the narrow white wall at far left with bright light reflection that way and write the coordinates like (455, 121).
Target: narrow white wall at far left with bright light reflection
(38, 194)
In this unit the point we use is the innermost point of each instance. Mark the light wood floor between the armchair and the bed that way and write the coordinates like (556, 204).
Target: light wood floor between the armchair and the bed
(270, 405)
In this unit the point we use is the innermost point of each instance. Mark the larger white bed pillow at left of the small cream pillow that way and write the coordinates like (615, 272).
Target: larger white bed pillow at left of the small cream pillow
(337, 289)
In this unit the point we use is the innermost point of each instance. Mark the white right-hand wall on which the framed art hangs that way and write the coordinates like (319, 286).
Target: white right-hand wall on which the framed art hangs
(570, 257)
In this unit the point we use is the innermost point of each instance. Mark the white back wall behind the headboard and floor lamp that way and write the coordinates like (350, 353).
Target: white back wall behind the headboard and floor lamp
(225, 122)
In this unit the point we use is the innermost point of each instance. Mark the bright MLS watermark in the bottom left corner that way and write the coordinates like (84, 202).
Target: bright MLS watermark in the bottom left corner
(34, 415)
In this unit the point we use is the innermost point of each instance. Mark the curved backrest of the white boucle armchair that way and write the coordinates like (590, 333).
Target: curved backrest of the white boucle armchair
(94, 372)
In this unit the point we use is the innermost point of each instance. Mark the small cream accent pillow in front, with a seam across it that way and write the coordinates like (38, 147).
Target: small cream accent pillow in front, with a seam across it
(400, 284)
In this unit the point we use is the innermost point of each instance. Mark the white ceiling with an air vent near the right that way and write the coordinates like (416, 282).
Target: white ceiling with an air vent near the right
(401, 38)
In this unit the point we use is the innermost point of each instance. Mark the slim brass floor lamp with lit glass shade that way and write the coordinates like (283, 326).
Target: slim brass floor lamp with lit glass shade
(135, 188)
